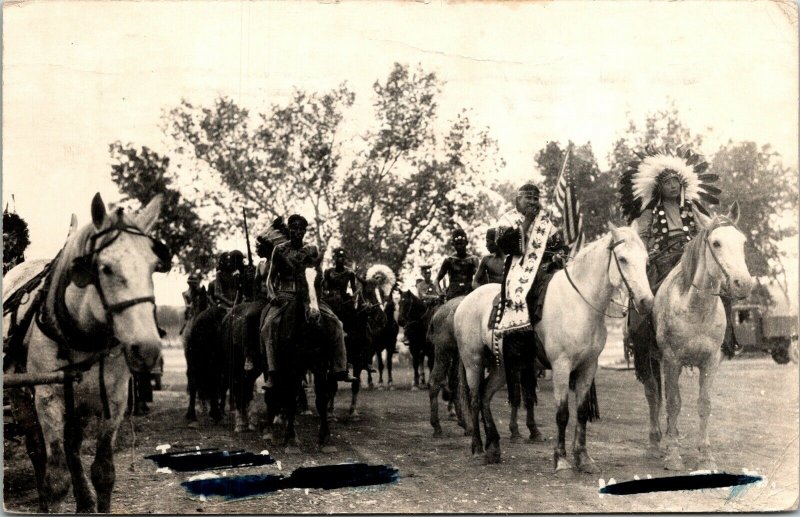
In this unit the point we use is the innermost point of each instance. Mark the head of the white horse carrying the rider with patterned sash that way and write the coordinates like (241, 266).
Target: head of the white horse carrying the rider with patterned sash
(627, 266)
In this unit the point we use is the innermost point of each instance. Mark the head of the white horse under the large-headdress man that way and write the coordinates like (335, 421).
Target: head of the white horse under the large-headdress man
(723, 253)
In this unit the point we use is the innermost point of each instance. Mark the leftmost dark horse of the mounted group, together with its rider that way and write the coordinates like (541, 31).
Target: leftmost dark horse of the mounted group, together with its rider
(202, 343)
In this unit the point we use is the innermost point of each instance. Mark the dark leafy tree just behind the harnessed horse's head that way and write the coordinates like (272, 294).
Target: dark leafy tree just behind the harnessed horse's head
(140, 175)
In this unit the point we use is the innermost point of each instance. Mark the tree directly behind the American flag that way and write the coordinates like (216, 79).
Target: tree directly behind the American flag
(595, 190)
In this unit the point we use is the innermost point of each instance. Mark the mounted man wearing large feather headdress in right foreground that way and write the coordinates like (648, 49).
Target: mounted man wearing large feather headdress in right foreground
(664, 191)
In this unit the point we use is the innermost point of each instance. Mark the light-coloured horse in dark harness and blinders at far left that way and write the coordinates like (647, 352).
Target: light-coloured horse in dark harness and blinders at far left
(98, 321)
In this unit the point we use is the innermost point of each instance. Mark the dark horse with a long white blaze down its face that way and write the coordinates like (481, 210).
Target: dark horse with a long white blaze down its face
(304, 335)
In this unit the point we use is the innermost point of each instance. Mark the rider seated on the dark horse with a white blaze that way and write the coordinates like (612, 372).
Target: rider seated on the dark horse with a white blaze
(286, 273)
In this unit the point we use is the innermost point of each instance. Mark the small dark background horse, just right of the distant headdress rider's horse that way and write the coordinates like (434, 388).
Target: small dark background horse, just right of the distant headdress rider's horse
(415, 316)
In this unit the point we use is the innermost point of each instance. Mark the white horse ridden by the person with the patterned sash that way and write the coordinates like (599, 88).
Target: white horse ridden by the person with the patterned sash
(572, 330)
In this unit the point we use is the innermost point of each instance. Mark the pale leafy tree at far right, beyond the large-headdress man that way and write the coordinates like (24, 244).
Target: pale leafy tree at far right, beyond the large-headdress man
(767, 192)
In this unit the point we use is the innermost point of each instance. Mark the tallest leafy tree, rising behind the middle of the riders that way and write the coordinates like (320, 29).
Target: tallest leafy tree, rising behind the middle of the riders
(407, 182)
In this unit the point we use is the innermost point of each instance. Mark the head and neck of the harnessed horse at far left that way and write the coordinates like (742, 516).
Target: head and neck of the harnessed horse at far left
(111, 264)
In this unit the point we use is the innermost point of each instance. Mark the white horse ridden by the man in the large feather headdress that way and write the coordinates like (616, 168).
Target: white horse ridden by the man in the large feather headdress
(690, 326)
